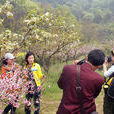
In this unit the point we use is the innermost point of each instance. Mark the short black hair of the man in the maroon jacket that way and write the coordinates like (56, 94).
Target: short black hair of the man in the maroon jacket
(96, 57)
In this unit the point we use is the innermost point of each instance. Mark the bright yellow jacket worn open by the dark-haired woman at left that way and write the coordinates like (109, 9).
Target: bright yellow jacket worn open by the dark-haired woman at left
(36, 72)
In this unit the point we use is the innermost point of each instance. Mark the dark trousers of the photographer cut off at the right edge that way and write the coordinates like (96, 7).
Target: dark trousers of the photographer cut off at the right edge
(108, 106)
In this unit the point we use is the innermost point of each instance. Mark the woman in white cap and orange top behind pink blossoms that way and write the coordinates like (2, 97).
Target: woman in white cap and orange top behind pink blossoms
(7, 71)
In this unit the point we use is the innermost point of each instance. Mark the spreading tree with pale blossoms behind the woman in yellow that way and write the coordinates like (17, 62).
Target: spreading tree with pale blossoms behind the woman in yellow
(51, 33)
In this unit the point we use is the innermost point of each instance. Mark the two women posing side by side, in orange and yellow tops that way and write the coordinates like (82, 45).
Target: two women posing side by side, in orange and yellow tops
(33, 75)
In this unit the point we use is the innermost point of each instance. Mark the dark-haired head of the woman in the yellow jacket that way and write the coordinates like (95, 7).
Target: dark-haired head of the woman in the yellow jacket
(29, 58)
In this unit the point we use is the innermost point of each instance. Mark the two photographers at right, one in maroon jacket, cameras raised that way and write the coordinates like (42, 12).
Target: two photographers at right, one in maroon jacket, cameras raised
(81, 85)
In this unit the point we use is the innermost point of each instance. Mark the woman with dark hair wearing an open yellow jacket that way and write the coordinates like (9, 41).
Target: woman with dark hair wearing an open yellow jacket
(34, 75)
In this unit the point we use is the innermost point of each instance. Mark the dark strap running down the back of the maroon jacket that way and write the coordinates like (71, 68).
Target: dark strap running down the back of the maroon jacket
(79, 88)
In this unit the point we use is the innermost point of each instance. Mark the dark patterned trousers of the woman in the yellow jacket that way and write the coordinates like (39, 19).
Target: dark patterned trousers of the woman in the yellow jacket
(36, 98)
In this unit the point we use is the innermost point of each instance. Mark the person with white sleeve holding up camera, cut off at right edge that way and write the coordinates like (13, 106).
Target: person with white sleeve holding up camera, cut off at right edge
(108, 106)
